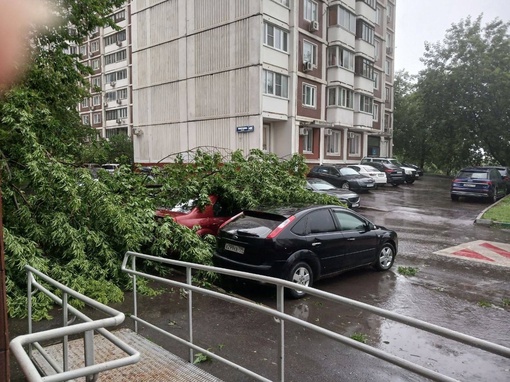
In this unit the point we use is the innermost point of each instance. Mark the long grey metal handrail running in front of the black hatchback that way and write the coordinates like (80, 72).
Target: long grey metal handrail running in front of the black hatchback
(279, 313)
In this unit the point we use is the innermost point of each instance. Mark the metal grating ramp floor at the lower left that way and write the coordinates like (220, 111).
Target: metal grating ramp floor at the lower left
(156, 363)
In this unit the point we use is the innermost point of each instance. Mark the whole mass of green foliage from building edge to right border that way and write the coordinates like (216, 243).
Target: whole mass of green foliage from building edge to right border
(456, 111)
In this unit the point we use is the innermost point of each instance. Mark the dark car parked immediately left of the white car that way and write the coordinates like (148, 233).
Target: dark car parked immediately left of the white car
(342, 177)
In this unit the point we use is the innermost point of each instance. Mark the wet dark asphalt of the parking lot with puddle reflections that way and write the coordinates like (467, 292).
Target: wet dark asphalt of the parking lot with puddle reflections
(465, 296)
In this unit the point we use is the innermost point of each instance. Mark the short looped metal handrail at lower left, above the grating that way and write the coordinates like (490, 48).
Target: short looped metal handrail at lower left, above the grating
(87, 328)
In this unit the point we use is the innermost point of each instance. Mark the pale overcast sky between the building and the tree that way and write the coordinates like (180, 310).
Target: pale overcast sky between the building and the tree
(427, 20)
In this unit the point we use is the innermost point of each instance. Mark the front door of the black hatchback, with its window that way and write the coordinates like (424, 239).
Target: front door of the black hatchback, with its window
(360, 240)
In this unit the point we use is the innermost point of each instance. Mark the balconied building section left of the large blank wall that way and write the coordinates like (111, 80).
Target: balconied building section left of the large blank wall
(108, 52)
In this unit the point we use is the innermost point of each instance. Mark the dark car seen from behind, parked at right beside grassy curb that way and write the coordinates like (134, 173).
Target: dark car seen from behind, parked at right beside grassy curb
(478, 182)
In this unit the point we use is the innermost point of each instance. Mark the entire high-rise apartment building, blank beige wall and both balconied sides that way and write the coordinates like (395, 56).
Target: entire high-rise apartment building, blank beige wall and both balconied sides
(285, 76)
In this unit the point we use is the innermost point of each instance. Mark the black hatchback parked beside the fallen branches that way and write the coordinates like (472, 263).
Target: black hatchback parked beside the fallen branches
(303, 244)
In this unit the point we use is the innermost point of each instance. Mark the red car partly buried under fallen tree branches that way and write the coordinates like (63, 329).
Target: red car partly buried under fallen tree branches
(188, 214)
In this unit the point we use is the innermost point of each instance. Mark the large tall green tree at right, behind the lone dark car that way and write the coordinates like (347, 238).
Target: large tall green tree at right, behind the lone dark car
(466, 86)
